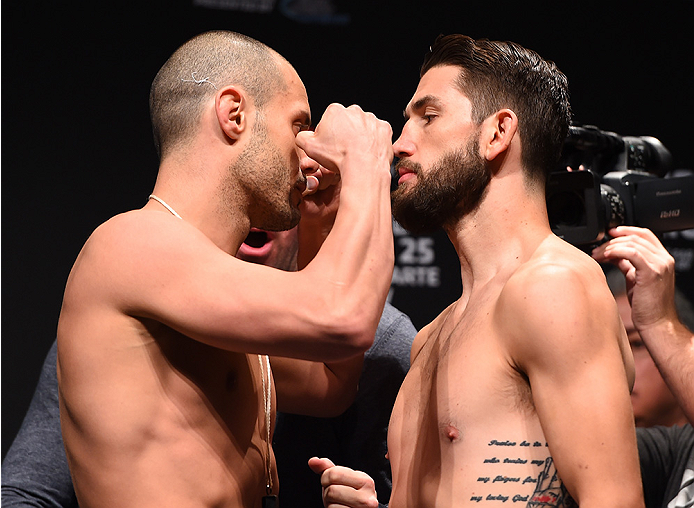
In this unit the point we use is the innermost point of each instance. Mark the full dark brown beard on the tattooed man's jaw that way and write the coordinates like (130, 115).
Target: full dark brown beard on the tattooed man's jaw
(450, 189)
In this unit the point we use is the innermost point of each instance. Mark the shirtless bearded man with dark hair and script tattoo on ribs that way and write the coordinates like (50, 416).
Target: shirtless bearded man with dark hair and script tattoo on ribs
(518, 392)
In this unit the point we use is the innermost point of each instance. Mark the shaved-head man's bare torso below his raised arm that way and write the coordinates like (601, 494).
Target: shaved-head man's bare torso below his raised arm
(190, 415)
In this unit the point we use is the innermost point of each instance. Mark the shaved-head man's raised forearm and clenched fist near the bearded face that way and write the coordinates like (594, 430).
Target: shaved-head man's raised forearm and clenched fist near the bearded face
(353, 269)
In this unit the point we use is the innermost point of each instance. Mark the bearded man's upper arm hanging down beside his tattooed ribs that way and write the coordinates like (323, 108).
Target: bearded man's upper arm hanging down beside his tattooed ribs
(569, 349)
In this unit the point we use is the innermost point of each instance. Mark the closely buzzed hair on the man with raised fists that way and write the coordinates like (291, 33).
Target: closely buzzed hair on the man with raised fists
(197, 69)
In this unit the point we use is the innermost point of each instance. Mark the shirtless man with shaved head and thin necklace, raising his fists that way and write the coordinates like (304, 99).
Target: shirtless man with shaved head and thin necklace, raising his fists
(166, 394)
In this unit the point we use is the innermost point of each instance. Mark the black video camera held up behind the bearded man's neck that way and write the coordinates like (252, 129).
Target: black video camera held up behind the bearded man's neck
(622, 184)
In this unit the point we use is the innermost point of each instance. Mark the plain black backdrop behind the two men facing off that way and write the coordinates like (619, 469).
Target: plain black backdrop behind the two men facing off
(76, 141)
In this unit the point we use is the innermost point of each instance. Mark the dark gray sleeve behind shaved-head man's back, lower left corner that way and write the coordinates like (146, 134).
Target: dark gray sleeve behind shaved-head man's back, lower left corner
(35, 471)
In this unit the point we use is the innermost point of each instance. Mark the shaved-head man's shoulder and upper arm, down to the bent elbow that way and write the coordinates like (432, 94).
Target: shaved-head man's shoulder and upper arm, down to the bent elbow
(173, 274)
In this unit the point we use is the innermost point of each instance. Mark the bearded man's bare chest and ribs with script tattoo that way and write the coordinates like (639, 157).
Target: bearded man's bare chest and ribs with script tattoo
(464, 424)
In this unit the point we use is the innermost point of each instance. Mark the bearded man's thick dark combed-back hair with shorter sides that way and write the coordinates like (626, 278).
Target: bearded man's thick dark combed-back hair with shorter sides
(496, 75)
